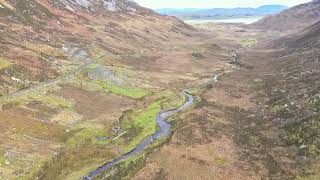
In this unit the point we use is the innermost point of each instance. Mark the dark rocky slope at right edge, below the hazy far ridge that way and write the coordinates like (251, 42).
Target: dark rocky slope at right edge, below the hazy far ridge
(294, 96)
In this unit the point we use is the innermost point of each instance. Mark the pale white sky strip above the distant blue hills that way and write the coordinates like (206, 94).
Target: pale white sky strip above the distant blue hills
(214, 3)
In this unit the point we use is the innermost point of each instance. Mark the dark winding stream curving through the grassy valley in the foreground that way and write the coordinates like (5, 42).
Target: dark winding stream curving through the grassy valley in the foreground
(164, 130)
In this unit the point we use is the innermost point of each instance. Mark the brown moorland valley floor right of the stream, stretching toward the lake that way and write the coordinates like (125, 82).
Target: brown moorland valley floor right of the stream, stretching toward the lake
(234, 132)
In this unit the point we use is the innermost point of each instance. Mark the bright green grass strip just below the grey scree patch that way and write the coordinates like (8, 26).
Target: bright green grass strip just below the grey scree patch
(131, 92)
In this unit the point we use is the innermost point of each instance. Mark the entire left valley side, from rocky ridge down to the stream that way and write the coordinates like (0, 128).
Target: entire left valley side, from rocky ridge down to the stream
(72, 91)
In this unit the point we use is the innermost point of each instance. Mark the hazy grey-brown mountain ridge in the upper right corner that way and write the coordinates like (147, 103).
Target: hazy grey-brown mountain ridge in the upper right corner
(295, 18)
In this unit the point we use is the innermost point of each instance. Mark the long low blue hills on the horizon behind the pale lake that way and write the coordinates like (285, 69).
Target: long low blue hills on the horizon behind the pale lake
(216, 12)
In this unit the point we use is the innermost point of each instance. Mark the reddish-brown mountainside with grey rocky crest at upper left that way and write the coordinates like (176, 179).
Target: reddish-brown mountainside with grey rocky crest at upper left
(33, 34)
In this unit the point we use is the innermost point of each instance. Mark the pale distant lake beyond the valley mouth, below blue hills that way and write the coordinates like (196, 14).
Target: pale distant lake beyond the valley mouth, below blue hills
(244, 20)
